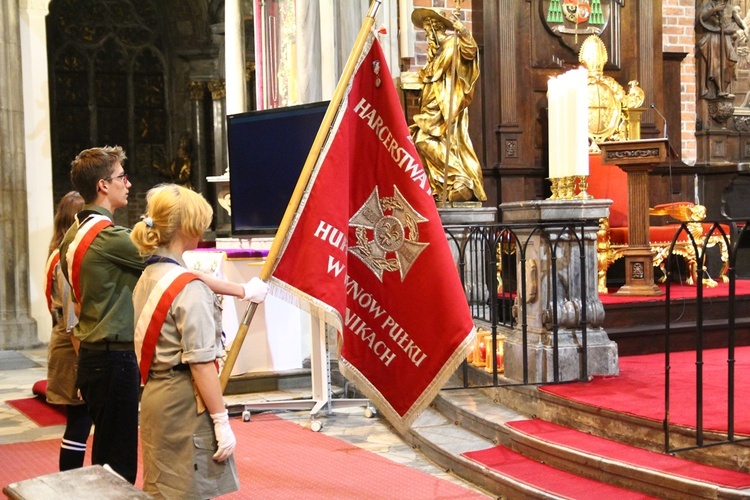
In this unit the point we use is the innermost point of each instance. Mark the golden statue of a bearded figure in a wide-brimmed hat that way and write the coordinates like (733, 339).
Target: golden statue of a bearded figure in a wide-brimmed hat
(447, 81)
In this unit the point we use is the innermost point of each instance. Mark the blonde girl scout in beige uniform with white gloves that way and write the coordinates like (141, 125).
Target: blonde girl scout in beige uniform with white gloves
(187, 452)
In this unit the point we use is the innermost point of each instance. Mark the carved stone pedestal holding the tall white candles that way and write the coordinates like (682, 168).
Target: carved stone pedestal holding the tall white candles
(543, 293)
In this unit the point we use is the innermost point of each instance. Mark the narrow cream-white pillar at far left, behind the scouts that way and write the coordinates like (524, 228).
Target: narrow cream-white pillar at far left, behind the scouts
(40, 203)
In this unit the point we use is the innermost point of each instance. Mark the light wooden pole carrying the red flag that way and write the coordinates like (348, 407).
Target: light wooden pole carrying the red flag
(299, 189)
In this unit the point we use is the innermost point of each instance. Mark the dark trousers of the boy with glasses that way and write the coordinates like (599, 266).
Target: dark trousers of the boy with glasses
(110, 385)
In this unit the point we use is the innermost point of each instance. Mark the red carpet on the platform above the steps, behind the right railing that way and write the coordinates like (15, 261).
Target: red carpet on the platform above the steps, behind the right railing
(639, 389)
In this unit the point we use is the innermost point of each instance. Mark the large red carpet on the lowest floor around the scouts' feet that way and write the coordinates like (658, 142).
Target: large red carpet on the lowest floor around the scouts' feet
(278, 459)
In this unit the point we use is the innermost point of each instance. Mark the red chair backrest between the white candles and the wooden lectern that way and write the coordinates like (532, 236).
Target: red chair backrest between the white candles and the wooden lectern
(609, 181)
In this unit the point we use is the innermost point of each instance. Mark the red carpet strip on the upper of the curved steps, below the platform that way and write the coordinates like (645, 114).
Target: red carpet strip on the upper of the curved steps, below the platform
(644, 459)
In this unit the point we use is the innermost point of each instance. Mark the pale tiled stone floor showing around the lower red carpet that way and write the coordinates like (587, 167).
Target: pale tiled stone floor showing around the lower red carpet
(347, 424)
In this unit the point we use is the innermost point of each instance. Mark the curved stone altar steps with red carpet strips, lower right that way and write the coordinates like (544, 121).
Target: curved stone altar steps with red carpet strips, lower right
(461, 423)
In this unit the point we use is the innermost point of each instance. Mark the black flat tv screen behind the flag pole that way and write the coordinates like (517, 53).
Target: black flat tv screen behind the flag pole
(267, 150)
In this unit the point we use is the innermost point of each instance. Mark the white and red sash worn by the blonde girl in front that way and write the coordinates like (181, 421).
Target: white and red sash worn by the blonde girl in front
(154, 312)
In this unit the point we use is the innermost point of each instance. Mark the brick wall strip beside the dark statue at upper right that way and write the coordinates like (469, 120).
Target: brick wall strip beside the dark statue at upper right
(679, 36)
